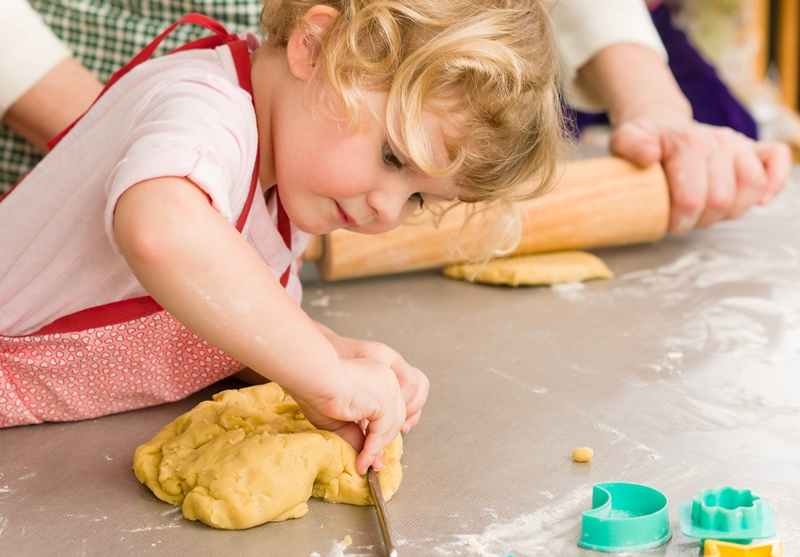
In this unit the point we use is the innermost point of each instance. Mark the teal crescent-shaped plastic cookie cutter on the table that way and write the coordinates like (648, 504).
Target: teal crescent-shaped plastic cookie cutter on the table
(625, 517)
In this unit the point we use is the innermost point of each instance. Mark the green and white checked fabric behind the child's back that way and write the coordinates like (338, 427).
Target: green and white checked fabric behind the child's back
(105, 34)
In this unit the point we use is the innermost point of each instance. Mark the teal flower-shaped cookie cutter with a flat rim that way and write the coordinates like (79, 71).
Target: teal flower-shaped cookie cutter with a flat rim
(727, 514)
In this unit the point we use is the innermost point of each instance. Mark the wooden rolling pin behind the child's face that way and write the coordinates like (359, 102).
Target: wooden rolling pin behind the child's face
(598, 202)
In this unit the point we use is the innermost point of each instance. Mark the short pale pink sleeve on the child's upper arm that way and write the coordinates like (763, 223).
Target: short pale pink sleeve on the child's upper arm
(201, 127)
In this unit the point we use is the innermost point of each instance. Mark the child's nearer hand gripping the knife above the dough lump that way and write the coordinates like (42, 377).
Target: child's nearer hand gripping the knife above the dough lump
(369, 392)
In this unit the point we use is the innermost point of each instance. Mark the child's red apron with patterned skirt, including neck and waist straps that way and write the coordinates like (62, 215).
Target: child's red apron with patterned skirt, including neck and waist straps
(128, 354)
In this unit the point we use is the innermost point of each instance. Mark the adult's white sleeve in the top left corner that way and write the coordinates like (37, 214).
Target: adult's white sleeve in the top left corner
(28, 50)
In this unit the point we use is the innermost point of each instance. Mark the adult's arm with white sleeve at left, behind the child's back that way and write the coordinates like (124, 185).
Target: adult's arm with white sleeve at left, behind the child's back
(43, 88)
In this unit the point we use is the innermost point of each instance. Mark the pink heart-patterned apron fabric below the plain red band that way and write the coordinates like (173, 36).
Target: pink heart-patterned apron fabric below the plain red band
(98, 371)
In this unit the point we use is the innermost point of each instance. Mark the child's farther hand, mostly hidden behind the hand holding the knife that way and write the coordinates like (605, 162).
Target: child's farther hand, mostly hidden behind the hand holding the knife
(413, 383)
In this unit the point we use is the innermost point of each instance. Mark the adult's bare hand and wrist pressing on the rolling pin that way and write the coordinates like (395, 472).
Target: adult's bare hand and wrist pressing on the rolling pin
(713, 172)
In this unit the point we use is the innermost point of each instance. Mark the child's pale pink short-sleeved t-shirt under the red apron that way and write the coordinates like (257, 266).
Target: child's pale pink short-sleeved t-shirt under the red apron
(179, 115)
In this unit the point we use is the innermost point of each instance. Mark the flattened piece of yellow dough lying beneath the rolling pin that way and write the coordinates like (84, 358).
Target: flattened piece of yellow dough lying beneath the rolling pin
(545, 268)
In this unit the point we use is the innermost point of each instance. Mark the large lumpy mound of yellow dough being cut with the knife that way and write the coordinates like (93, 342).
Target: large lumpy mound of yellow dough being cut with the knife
(250, 457)
